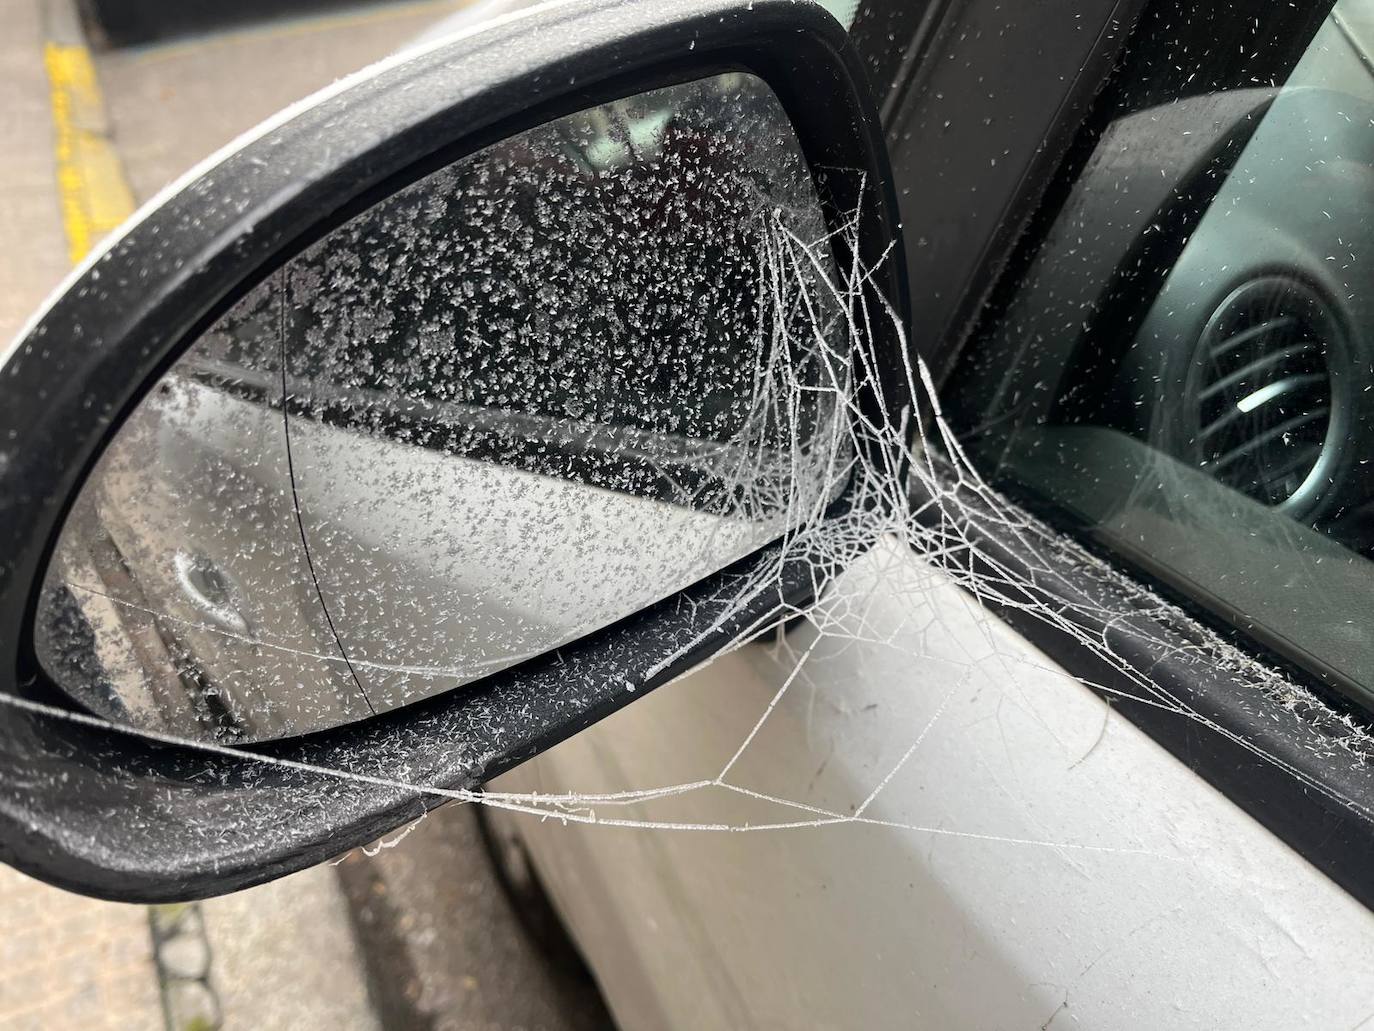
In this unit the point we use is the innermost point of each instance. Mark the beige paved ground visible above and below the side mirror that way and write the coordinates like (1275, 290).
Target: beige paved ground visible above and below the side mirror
(417, 935)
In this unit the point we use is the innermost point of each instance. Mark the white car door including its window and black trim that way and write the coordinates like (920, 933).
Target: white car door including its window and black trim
(1001, 777)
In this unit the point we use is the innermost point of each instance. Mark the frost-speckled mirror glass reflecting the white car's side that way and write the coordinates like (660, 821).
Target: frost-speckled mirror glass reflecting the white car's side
(534, 392)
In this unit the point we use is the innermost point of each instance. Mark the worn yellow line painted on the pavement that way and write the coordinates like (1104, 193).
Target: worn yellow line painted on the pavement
(91, 186)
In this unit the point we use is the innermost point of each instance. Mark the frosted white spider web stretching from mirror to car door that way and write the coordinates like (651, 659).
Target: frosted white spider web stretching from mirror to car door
(909, 487)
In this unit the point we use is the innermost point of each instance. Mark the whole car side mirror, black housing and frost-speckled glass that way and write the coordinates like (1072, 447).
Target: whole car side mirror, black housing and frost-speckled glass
(447, 414)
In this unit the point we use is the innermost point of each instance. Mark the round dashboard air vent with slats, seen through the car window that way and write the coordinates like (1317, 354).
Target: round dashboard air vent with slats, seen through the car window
(1262, 391)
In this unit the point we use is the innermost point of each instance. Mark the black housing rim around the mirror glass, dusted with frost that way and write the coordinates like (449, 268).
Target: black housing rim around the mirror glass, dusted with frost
(142, 817)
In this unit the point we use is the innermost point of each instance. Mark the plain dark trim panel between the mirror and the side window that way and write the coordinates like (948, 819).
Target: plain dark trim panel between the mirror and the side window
(979, 129)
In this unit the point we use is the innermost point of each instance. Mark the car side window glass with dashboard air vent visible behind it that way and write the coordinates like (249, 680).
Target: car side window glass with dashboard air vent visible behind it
(1184, 370)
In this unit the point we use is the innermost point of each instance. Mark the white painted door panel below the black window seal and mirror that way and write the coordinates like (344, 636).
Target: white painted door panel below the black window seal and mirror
(1035, 863)
